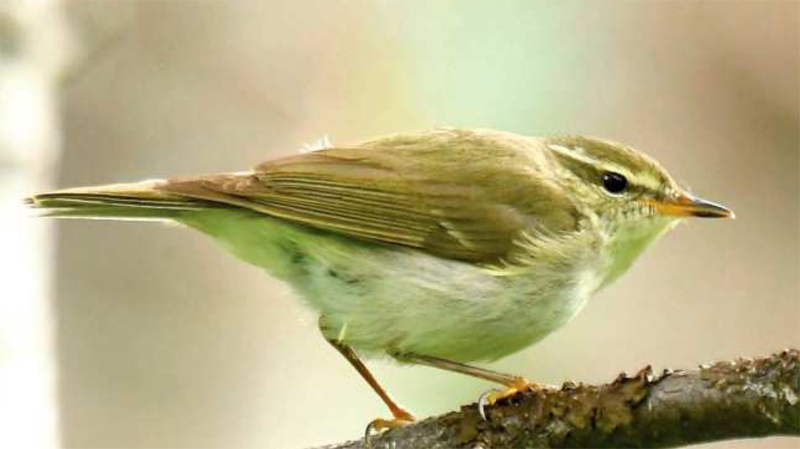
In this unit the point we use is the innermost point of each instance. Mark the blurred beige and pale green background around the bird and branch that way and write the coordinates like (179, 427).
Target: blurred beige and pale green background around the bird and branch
(138, 335)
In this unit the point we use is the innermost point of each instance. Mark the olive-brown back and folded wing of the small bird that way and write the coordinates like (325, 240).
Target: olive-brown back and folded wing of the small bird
(451, 194)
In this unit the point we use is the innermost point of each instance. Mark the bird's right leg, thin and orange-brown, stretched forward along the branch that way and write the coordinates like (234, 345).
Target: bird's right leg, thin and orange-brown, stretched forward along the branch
(513, 384)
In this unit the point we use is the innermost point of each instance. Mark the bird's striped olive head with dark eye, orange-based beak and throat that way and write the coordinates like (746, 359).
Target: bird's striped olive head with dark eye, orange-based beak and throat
(624, 192)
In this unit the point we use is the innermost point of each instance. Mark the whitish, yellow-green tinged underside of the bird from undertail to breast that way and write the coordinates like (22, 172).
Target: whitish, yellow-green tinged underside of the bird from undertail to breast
(386, 300)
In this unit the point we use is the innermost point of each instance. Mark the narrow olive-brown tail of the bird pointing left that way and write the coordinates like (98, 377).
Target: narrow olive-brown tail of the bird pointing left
(134, 201)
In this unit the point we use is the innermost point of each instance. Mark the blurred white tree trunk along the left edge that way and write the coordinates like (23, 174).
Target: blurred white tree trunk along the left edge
(34, 50)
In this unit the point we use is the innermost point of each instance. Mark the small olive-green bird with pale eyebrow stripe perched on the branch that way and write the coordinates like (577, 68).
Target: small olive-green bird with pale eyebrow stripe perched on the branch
(445, 248)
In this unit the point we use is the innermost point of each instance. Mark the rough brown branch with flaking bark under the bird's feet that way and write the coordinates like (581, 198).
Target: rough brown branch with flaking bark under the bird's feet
(726, 400)
